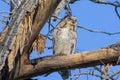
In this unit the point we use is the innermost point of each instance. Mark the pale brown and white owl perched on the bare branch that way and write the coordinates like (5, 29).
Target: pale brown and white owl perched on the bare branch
(64, 40)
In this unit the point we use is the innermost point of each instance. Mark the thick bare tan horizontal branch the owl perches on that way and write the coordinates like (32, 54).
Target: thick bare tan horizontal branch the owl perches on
(79, 60)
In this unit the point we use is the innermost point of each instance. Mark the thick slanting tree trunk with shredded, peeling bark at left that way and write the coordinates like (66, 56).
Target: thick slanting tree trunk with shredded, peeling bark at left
(27, 21)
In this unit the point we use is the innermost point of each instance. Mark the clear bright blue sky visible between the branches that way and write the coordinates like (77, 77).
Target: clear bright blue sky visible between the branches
(93, 16)
